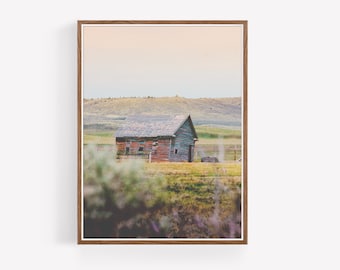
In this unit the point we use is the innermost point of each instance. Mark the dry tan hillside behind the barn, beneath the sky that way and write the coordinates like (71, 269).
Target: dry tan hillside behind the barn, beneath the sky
(107, 113)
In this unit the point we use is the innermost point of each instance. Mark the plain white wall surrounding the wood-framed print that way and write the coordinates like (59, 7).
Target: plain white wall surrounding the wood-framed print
(293, 136)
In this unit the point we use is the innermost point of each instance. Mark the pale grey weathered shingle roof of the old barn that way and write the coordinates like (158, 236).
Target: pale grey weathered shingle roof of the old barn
(153, 126)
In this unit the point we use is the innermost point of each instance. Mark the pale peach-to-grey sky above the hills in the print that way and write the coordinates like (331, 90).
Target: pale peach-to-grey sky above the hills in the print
(162, 60)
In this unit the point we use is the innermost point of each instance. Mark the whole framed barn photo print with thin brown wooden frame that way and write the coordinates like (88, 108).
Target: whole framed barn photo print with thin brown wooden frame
(162, 132)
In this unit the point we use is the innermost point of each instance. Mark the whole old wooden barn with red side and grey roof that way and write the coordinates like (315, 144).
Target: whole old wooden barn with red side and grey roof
(158, 138)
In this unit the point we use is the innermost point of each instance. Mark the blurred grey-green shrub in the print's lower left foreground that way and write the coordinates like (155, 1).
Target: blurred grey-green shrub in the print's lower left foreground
(119, 199)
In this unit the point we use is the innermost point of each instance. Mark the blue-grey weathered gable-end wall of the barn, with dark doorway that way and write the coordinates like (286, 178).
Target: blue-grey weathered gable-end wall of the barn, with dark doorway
(180, 145)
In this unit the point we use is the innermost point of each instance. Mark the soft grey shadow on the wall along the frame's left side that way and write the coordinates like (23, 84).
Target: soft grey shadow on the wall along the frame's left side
(64, 55)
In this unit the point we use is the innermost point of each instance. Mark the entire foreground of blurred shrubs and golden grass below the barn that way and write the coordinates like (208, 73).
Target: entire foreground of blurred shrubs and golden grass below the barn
(135, 199)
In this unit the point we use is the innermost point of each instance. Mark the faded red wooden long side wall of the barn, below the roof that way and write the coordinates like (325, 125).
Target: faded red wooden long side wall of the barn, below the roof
(159, 148)
